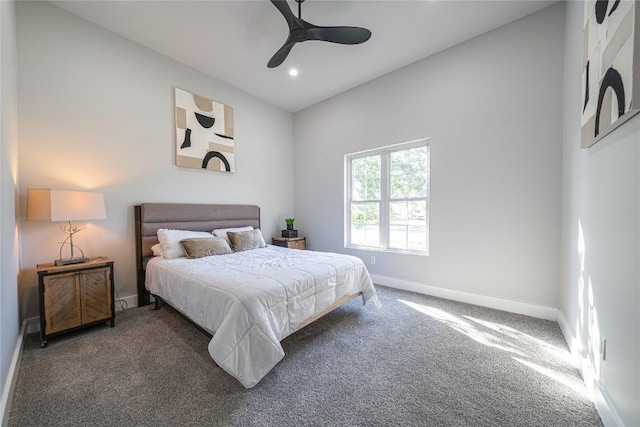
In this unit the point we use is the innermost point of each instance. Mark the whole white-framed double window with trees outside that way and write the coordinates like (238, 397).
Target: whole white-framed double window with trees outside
(387, 198)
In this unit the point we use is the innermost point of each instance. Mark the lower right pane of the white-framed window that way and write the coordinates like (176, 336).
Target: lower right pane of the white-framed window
(408, 225)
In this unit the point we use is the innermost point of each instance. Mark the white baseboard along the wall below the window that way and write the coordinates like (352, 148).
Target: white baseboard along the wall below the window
(541, 312)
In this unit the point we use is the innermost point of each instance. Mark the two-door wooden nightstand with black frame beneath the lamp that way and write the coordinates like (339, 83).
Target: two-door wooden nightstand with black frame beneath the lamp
(75, 296)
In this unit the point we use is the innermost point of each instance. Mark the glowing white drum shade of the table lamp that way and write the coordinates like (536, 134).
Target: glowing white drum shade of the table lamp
(55, 205)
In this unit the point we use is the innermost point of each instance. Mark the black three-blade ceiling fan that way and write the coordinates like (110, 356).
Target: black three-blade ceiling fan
(300, 31)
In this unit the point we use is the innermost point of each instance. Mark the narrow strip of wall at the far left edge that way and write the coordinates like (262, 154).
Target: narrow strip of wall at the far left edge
(9, 248)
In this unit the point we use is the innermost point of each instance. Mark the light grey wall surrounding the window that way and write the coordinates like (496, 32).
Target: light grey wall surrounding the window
(492, 108)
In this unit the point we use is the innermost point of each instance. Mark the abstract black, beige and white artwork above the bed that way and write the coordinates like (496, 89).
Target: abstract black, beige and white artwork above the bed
(204, 133)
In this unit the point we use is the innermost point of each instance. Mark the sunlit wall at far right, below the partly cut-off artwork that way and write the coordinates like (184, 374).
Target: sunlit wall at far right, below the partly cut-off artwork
(601, 247)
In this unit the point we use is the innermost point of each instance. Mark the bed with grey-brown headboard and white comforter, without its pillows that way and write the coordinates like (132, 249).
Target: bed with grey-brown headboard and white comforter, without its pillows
(247, 300)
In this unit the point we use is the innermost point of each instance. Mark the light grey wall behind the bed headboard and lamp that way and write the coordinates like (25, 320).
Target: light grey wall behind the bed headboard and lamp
(96, 113)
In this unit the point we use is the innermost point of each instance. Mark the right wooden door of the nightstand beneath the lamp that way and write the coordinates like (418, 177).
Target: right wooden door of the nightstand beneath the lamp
(95, 286)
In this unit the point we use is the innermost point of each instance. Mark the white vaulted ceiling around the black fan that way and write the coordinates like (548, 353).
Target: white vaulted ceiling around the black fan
(234, 40)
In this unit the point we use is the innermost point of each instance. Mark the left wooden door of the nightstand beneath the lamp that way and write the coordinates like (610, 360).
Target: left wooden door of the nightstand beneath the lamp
(62, 302)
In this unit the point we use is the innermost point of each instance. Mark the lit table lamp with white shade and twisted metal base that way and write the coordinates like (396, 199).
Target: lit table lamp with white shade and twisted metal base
(56, 205)
